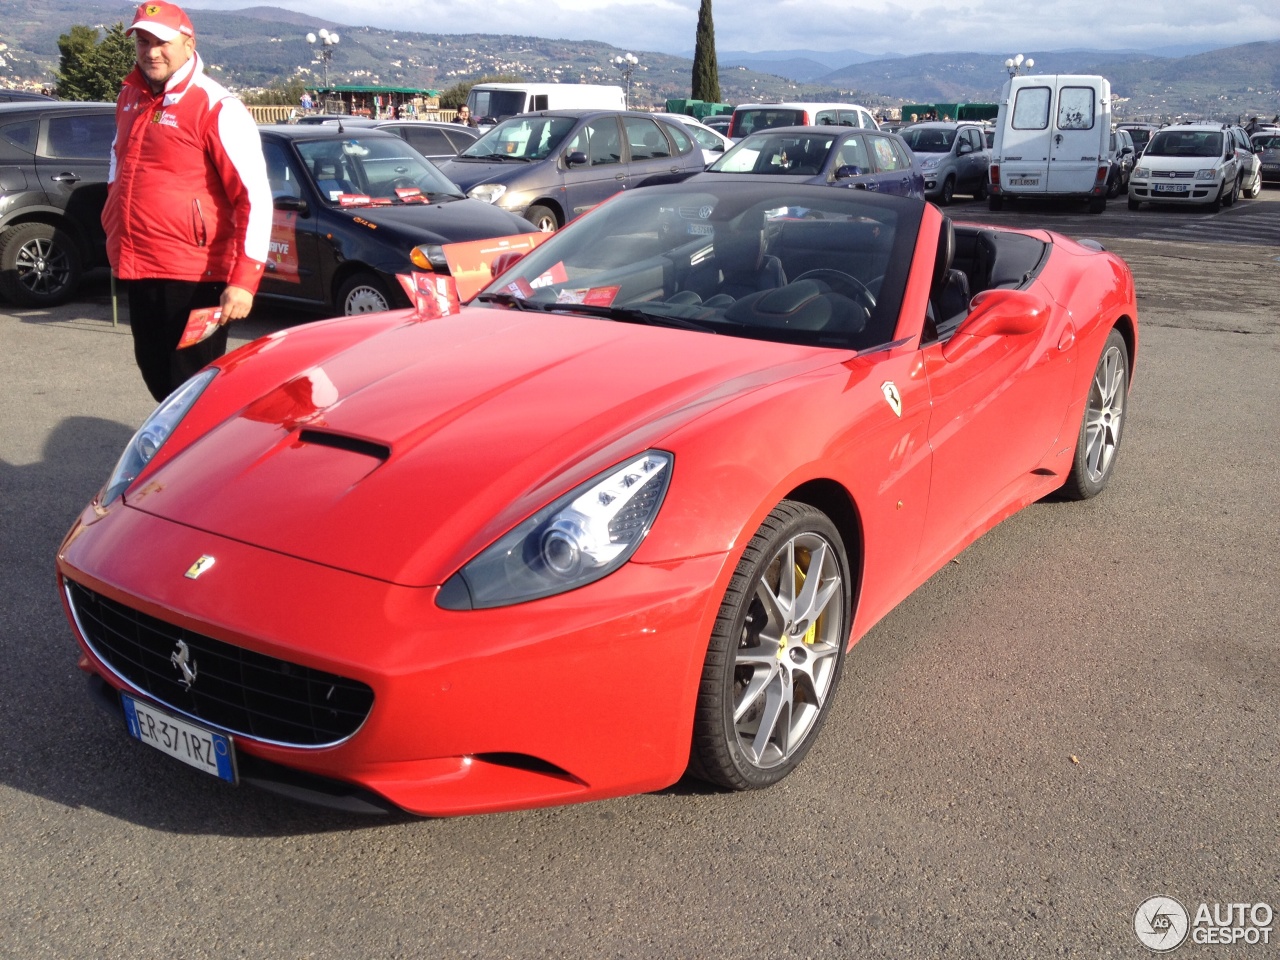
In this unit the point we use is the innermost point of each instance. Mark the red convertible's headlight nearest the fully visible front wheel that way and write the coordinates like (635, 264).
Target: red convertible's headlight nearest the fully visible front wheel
(584, 536)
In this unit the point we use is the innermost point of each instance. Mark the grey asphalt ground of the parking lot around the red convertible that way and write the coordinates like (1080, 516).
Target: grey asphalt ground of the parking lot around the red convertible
(1080, 714)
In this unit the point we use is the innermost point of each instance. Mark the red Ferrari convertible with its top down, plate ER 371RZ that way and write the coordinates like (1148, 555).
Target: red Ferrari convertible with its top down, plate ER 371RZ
(620, 519)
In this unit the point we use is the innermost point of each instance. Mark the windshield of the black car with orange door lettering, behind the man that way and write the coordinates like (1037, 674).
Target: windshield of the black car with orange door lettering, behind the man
(373, 170)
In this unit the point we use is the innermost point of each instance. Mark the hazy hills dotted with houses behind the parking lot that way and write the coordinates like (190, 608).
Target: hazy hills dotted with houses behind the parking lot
(264, 45)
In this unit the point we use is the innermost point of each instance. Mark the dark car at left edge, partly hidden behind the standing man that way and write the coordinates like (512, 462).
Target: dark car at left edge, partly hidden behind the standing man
(54, 159)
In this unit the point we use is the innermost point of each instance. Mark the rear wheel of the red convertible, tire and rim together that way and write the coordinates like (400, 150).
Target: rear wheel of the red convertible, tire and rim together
(1103, 424)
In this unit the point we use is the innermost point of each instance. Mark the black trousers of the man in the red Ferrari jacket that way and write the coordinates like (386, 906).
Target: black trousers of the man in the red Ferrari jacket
(158, 314)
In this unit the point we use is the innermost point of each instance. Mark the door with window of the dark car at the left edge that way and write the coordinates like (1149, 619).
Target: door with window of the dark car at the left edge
(72, 162)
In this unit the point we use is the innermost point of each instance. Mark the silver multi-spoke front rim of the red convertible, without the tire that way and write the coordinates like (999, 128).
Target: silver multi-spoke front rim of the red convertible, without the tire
(789, 652)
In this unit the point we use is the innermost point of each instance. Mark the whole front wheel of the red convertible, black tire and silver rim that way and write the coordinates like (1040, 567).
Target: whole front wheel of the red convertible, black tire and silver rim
(776, 652)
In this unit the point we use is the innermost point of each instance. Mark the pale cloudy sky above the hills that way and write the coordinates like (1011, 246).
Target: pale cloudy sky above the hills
(866, 26)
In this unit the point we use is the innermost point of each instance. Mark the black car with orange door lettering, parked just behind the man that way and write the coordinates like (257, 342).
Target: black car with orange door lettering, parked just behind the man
(356, 207)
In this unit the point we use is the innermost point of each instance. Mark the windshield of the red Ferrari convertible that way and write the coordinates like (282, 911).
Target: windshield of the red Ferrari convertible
(807, 266)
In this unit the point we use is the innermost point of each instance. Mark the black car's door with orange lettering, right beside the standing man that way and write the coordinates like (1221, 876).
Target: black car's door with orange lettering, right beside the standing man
(294, 269)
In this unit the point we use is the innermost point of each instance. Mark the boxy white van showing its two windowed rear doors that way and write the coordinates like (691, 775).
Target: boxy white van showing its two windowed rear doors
(1053, 134)
